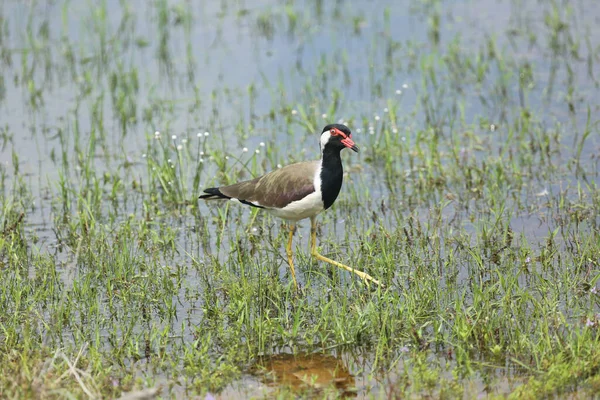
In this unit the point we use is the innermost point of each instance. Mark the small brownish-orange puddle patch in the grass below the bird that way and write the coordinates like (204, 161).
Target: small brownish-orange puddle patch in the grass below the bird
(301, 372)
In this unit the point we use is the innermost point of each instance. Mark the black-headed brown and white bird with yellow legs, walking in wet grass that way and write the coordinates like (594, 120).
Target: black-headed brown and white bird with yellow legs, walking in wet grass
(299, 191)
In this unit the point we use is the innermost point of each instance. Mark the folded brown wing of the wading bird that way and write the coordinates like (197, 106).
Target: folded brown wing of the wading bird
(278, 188)
